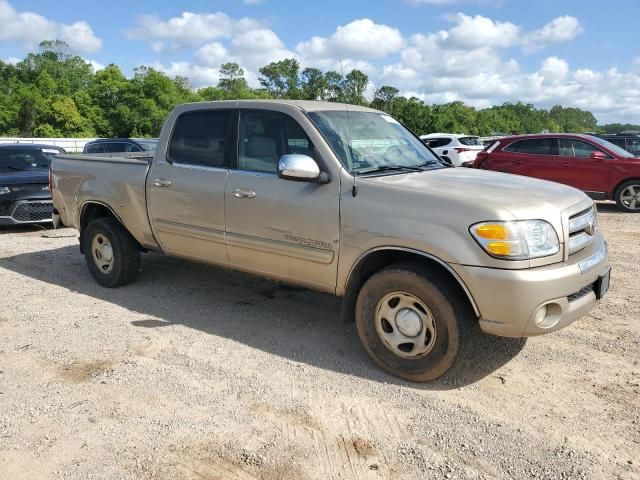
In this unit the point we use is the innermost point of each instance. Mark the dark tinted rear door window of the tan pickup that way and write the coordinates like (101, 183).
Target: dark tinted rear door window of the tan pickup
(200, 138)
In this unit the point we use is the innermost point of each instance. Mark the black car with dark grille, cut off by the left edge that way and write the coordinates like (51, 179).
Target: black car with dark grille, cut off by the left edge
(25, 196)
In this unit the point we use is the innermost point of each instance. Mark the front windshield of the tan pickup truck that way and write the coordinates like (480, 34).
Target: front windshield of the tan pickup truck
(371, 142)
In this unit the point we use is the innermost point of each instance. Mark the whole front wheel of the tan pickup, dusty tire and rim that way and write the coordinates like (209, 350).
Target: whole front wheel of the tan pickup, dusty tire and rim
(411, 321)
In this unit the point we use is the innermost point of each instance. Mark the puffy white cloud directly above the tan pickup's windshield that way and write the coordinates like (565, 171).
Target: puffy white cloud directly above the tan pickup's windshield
(361, 38)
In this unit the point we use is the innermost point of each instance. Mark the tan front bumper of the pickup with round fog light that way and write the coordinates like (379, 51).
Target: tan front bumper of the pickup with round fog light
(509, 299)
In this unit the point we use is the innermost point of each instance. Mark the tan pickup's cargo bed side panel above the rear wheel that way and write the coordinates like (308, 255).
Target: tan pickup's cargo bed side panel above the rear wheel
(117, 181)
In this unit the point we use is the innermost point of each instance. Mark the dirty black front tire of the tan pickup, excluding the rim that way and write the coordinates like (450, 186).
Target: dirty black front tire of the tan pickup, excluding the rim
(452, 315)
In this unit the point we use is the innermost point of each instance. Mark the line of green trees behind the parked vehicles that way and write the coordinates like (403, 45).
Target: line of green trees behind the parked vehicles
(53, 93)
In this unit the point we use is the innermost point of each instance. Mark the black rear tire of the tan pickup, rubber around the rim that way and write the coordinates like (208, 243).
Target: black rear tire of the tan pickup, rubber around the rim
(126, 254)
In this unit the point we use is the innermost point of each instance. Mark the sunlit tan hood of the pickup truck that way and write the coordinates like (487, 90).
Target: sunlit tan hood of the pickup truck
(523, 197)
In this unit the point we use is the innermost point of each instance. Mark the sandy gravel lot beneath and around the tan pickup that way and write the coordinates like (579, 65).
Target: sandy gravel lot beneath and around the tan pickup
(200, 373)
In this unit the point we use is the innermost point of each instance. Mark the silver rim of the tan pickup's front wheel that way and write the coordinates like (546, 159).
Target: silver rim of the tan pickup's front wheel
(405, 325)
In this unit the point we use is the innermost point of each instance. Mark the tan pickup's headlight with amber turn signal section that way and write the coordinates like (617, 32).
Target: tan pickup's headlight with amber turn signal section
(521, 240)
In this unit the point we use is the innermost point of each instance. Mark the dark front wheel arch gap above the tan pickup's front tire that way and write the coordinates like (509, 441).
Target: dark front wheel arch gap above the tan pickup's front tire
(375, 259)
